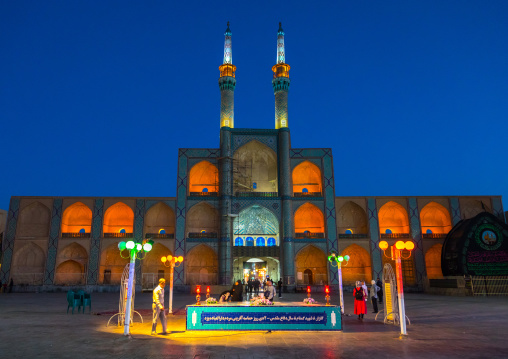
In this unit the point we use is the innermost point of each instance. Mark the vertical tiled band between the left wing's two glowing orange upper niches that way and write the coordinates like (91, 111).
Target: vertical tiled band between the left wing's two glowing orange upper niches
(95, 242)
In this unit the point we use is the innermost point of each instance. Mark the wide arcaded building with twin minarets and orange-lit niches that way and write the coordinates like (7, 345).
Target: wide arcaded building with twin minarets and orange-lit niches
(253, 207)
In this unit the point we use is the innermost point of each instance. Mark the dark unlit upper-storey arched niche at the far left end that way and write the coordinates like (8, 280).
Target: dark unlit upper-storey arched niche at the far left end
(34, 221)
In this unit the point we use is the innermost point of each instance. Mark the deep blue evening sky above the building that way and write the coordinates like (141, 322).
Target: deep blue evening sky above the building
(96, 97)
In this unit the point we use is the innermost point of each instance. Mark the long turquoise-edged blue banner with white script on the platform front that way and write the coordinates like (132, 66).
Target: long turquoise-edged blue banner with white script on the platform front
(219, 317)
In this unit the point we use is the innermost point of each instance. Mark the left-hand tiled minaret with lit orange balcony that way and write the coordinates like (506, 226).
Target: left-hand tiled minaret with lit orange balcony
(227, 83)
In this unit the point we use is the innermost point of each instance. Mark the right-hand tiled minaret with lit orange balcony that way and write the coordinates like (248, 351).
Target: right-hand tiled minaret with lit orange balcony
(280, 83)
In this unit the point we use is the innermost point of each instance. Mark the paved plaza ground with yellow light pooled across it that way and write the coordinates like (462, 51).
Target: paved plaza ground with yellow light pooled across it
(35, 325)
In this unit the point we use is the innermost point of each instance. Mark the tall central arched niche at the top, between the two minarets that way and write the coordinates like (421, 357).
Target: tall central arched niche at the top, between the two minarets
(255, 168)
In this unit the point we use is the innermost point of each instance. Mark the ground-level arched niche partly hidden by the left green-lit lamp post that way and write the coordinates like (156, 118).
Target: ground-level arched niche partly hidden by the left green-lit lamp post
(112, 264)
